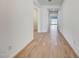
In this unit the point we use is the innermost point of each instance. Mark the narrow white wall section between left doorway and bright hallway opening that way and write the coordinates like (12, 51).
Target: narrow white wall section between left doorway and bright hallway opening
(43, 19)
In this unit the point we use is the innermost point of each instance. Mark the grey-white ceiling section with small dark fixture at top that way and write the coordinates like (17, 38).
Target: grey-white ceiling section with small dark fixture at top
(51, 2)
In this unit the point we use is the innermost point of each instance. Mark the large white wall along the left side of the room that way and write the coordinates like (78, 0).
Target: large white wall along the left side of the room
(15, 26)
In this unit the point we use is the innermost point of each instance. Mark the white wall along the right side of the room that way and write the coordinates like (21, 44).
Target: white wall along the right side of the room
(70, 23)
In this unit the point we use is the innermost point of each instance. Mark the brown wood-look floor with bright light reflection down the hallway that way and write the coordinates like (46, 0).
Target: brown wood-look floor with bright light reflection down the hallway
(47, 45)
